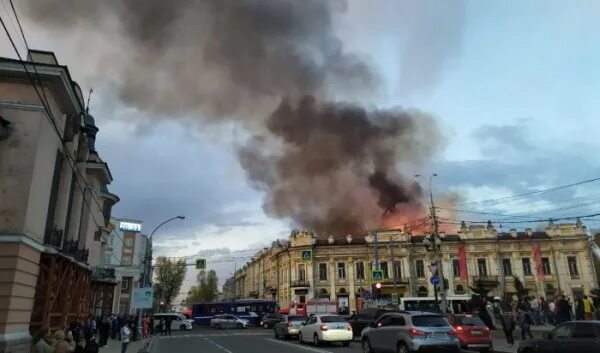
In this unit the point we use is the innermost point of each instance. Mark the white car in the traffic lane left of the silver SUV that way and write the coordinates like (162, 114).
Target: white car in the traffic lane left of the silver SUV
(325, 328)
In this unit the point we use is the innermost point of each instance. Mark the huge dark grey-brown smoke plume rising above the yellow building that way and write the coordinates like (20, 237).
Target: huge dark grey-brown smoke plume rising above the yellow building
(278, 67)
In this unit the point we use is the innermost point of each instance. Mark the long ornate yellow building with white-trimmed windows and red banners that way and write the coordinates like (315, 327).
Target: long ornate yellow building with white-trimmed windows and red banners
(548, 263)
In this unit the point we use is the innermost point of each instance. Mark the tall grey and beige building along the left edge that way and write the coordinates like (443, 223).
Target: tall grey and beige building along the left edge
(54, 201)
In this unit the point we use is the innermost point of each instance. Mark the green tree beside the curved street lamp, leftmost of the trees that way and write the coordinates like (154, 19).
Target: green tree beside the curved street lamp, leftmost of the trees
(169, 278)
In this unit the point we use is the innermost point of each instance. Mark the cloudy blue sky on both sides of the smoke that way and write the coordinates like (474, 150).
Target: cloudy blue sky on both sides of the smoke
(512, 85)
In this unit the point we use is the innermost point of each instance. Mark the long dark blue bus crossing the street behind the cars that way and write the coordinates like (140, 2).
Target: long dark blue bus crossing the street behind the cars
(249, 309)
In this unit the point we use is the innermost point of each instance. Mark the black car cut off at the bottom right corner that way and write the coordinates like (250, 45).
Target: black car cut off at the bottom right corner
(571, 336)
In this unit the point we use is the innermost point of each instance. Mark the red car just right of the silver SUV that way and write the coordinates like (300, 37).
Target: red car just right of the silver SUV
(472, 332)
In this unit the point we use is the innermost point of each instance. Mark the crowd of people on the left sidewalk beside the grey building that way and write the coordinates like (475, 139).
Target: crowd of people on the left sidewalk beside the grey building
(89, 335)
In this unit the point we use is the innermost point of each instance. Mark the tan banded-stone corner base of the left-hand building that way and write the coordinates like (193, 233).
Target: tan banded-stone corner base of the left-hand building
(19, 270)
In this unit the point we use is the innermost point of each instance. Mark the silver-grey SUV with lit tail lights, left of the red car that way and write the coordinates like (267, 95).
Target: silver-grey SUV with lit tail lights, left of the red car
(410, 331)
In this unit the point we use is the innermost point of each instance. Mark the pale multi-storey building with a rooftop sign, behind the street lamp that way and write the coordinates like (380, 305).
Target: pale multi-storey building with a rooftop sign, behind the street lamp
(125, 252)
